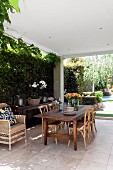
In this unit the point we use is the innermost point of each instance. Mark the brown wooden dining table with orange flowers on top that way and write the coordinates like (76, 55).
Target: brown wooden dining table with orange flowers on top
(56, 115)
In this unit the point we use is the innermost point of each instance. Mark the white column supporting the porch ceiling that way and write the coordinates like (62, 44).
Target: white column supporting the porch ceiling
(62, 80)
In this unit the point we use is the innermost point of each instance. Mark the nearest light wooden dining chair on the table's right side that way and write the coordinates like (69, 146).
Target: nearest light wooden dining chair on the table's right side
(83, 127)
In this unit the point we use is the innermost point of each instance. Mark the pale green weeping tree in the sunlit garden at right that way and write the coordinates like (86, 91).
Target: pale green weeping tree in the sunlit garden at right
(98, 69)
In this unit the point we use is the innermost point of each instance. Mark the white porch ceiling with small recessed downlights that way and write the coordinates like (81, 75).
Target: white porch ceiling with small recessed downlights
(68, 27)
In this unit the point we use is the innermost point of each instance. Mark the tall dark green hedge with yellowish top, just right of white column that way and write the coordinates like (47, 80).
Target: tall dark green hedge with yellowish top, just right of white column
(73, 75)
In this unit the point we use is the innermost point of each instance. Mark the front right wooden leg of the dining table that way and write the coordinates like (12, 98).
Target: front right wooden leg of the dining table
(75, 134)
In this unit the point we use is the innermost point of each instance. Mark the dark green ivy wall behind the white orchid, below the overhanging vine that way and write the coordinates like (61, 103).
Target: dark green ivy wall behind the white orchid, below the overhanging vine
(17, 72)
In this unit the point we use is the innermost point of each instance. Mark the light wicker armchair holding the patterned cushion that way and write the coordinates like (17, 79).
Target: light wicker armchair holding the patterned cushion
(11, 134)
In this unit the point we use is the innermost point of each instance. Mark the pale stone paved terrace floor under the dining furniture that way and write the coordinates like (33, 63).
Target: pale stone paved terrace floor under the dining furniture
(35, 156)
